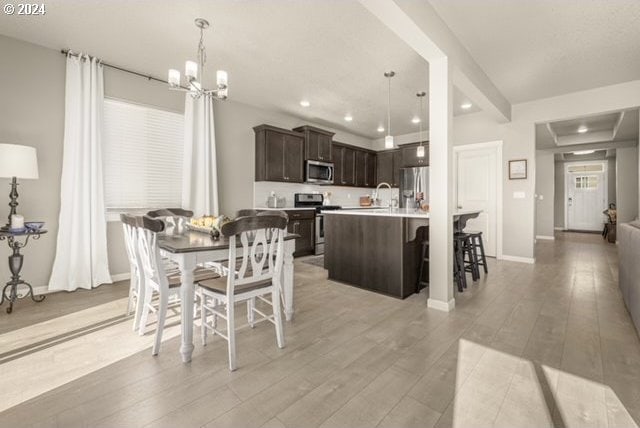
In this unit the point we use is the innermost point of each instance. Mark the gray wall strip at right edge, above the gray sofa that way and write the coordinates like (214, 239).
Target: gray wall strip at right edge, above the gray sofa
(627, 183)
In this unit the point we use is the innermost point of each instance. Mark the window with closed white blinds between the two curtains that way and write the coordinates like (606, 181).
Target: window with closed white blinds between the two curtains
(142, 150)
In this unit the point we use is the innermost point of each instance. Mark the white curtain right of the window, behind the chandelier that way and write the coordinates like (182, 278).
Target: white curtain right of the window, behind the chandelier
(200, 178)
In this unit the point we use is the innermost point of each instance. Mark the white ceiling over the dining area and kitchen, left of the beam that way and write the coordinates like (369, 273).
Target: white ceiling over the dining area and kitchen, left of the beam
(277, 52)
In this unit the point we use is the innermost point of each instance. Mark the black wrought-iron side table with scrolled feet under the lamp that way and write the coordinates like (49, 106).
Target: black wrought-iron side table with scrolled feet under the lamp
(15, 266)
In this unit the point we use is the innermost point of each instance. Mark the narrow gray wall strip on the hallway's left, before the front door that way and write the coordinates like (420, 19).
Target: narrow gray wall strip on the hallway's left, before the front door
(545, 183)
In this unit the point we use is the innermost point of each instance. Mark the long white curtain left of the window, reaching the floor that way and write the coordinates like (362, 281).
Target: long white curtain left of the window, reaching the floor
(81, 253)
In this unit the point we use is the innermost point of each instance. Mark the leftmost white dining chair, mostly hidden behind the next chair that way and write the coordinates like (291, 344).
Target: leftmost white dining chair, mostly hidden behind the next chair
(130, 229)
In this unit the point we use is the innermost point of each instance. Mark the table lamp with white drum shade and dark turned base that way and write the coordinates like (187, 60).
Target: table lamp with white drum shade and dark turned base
(17, 162)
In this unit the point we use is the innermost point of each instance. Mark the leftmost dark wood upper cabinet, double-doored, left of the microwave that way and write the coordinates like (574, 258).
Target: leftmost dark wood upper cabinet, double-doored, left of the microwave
(279, 154)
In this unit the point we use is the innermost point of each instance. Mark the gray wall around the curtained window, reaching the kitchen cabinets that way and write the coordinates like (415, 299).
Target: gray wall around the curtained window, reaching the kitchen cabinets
(32, 113)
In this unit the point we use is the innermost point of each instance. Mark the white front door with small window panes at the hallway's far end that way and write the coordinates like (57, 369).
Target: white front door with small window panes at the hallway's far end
(586, 199)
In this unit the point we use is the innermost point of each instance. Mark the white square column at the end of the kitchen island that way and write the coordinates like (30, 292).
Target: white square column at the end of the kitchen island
(440, 185)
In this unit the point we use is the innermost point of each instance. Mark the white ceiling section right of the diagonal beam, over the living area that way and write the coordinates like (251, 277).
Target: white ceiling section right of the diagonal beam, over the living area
(541, 48)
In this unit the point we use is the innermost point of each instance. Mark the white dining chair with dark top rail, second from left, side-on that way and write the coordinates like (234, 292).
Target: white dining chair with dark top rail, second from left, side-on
(156, 280)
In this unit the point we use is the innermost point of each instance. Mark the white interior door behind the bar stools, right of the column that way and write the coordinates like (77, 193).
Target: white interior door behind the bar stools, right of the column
(477, 189)
